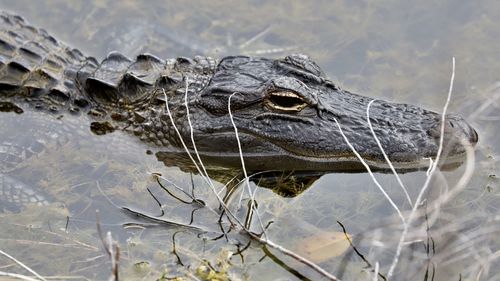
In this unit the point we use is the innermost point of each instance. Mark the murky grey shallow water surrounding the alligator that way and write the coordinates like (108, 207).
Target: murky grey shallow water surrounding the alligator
(386, 49)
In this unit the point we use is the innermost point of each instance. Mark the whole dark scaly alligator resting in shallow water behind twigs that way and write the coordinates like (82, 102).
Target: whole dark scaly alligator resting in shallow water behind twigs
(285, 109)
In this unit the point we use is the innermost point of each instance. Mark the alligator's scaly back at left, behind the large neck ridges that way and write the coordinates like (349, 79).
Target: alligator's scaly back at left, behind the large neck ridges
(35, 66)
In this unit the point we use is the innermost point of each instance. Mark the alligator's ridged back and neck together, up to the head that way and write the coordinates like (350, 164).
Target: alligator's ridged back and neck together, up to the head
(38, 71)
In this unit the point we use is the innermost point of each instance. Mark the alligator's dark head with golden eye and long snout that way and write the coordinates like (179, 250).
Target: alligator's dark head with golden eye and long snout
(286, 112)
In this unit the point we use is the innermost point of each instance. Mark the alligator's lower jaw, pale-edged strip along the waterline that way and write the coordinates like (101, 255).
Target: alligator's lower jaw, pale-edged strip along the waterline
(287, 160)
